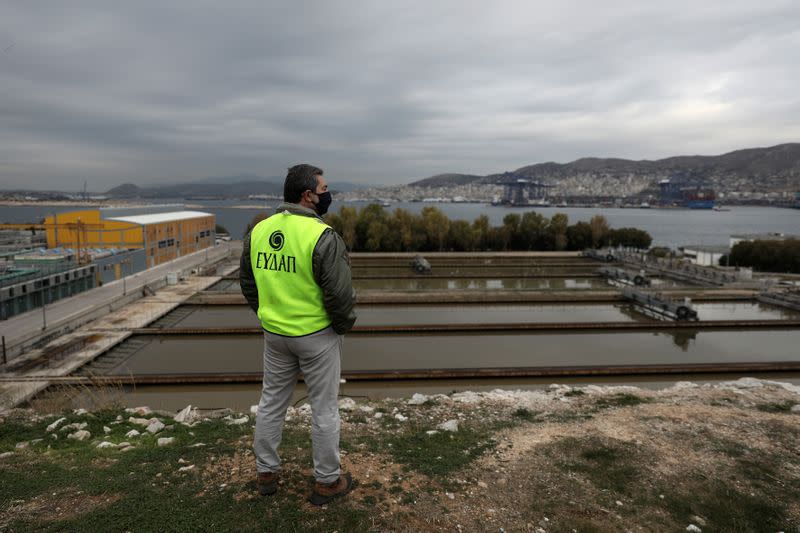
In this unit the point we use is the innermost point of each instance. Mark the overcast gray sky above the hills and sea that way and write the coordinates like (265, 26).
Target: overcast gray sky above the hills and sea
(383, 92)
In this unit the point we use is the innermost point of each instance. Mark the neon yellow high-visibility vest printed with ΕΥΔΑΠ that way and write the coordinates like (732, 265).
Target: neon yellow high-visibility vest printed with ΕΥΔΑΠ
(290, 301)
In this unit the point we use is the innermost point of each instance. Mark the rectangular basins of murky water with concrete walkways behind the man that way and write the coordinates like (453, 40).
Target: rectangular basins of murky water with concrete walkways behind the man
(203, 344)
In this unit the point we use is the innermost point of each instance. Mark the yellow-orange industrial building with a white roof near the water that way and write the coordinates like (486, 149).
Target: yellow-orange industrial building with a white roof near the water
(164, 235)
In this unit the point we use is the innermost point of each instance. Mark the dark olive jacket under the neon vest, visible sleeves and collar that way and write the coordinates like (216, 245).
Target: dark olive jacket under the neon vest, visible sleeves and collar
(331, 266)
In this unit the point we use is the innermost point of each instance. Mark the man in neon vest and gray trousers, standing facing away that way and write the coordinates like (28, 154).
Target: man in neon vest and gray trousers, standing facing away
(295, 274)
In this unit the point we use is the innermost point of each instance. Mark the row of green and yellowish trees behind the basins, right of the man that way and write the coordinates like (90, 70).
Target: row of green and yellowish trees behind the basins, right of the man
(374, 229)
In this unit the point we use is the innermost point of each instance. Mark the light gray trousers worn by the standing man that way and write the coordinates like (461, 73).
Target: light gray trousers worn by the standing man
(318, 356)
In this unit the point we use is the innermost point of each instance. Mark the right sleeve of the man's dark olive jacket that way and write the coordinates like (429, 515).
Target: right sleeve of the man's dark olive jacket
(332, 272)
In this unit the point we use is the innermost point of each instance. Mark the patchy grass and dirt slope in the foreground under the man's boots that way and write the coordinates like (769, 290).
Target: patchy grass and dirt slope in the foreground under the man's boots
(418, 481)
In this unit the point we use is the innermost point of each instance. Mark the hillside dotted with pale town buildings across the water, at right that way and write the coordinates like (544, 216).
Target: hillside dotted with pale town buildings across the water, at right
(775, 168)
